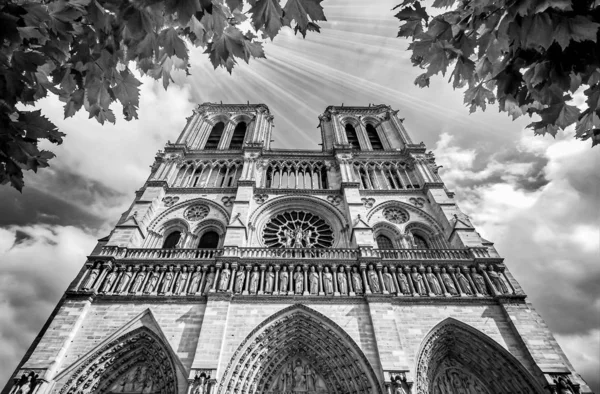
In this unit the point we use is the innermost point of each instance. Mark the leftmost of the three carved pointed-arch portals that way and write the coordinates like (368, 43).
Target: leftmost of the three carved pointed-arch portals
(136, 363)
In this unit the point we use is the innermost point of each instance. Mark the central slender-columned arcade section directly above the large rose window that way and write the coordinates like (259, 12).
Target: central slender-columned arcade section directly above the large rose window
(296, 174)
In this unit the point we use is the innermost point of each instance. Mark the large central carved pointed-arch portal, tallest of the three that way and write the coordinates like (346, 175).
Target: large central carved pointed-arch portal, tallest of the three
(299, 350)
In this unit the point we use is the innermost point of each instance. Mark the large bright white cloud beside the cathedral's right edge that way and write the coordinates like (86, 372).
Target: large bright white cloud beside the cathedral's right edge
(549, 234)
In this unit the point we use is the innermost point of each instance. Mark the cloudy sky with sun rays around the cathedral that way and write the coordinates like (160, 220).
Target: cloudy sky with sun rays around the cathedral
(536, 198)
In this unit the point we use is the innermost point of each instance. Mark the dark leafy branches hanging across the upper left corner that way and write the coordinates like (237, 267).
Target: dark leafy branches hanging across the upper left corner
(80, 50)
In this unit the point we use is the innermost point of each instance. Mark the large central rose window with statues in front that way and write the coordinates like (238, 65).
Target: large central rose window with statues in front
(297, 229)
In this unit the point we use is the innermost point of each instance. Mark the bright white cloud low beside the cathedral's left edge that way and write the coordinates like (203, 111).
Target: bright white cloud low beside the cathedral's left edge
(38, 263)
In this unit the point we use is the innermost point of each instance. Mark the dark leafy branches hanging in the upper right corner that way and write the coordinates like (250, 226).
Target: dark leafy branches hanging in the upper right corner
(529, 55)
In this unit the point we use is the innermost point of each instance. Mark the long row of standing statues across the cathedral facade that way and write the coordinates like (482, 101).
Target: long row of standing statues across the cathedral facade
(301, 280)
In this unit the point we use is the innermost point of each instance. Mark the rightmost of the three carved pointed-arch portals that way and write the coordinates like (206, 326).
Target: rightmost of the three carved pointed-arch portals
(455, 355)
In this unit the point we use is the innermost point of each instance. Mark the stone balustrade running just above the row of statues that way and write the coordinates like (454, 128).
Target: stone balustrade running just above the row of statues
(469, 254)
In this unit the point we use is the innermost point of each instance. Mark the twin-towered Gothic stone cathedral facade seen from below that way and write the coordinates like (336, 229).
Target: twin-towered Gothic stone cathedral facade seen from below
(243, 269)
